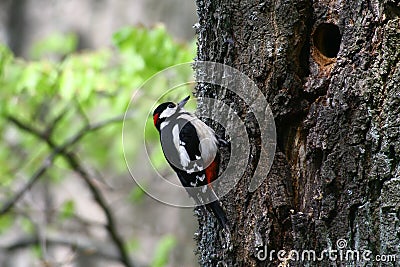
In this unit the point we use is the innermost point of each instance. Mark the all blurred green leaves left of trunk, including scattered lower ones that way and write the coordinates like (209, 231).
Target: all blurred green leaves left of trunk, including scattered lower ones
(62, 92)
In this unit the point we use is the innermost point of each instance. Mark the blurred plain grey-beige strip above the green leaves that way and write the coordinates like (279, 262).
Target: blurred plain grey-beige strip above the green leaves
(25, 22)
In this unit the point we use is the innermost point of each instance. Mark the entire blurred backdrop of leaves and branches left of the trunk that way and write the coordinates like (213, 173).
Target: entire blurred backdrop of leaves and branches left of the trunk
(68, 70)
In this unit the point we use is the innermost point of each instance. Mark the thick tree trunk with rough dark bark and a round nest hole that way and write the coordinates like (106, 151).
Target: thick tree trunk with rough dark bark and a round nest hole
(330, 72)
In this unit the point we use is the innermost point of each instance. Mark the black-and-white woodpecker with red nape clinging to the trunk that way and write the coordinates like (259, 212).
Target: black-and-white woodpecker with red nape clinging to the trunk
(192, 150)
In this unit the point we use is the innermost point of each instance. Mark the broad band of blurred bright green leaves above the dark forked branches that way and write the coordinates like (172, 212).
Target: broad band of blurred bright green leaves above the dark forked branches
(87, 86)
